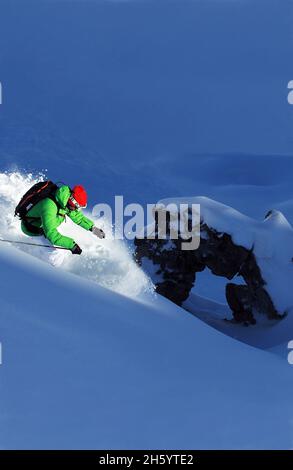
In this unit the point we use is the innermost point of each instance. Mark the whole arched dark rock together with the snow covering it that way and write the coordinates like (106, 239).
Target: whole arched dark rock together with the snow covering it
(231, 245)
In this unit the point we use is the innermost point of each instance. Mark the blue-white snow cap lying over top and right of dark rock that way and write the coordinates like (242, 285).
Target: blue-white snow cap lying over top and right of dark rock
(271, 240)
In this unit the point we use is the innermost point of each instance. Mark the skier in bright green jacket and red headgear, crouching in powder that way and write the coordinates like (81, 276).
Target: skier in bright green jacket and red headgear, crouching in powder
(44, 217)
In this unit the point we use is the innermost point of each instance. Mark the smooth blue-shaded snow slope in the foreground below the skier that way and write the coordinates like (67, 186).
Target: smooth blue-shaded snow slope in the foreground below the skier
(86, 368)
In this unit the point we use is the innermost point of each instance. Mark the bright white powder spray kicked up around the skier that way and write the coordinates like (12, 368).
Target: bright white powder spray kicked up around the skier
(108, 262)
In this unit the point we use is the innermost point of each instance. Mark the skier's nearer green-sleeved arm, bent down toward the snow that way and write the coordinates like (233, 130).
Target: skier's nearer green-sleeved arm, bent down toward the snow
(49, 219)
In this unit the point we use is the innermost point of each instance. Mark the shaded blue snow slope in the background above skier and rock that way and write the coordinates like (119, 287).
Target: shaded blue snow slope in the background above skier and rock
(151, 98)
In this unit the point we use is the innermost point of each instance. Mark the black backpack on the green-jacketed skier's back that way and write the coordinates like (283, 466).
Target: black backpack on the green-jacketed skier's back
(35, 194)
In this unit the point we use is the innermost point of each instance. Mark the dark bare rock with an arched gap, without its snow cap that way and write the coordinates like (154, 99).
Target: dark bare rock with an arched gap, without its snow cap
(173, 270)
